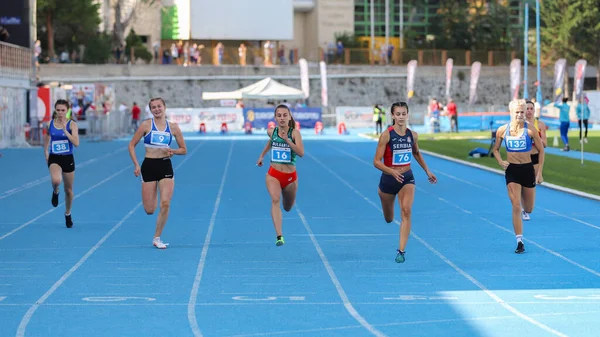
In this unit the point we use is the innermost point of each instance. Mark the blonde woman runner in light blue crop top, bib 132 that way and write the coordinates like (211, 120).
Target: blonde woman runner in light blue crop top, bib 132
(519, 138)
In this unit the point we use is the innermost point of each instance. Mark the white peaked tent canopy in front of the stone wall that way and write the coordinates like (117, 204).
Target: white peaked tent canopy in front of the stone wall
(267, 88)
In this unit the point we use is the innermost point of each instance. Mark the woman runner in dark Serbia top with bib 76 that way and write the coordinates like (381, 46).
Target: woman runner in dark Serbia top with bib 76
(397, 146)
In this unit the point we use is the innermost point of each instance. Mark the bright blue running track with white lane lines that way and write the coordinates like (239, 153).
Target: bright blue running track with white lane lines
(223, 276)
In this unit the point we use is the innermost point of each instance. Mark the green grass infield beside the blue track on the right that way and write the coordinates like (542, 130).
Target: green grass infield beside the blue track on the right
(558, 170)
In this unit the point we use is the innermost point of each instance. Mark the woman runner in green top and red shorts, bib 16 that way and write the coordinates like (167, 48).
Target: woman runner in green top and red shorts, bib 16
(286, 144)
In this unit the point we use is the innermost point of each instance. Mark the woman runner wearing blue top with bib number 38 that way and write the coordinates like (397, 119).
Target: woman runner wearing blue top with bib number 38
(59, 142)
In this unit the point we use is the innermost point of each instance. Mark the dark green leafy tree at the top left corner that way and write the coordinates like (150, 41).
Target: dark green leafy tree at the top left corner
(67, 23)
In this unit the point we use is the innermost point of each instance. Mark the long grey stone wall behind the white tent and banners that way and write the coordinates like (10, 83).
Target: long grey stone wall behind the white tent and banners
(347, 85)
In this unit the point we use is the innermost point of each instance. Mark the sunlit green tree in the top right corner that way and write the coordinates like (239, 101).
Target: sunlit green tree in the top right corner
(570, 30)
